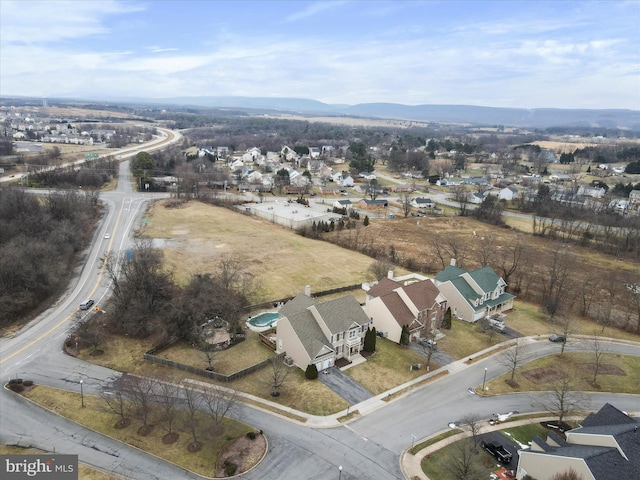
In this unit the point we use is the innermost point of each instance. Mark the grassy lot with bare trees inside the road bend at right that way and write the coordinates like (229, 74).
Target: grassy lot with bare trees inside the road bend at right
(625, 376)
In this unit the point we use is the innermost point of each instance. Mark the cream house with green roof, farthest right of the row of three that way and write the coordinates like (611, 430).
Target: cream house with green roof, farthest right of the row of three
(473, 295)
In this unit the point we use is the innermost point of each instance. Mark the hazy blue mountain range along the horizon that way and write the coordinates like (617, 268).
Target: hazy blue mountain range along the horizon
(515, 117)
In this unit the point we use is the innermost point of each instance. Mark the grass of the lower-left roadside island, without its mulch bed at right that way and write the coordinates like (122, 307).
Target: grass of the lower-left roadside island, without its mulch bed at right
(94, 417)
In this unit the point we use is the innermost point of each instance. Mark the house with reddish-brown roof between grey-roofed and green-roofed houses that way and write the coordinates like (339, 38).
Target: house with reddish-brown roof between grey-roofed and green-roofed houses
(419, 306)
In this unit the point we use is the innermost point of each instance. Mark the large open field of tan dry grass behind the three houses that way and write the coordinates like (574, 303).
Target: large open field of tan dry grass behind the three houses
(281, 262)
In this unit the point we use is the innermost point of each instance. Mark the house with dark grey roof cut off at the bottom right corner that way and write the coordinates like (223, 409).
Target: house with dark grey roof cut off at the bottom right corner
(605, 446)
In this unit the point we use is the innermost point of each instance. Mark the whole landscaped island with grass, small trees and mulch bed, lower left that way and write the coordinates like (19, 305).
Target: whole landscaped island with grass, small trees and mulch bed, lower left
(226, 449)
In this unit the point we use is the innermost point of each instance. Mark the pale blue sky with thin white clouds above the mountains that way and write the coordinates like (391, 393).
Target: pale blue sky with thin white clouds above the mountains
(508, 53)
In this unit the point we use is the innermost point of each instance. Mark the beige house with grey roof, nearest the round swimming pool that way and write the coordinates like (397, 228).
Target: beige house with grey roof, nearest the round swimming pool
(321, 333)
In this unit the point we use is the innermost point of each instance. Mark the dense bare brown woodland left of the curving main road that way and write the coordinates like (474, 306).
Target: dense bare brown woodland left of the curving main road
(40, 238)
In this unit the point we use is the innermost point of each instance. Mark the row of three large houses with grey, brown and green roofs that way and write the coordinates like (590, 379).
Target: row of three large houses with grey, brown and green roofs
(324, 333)
